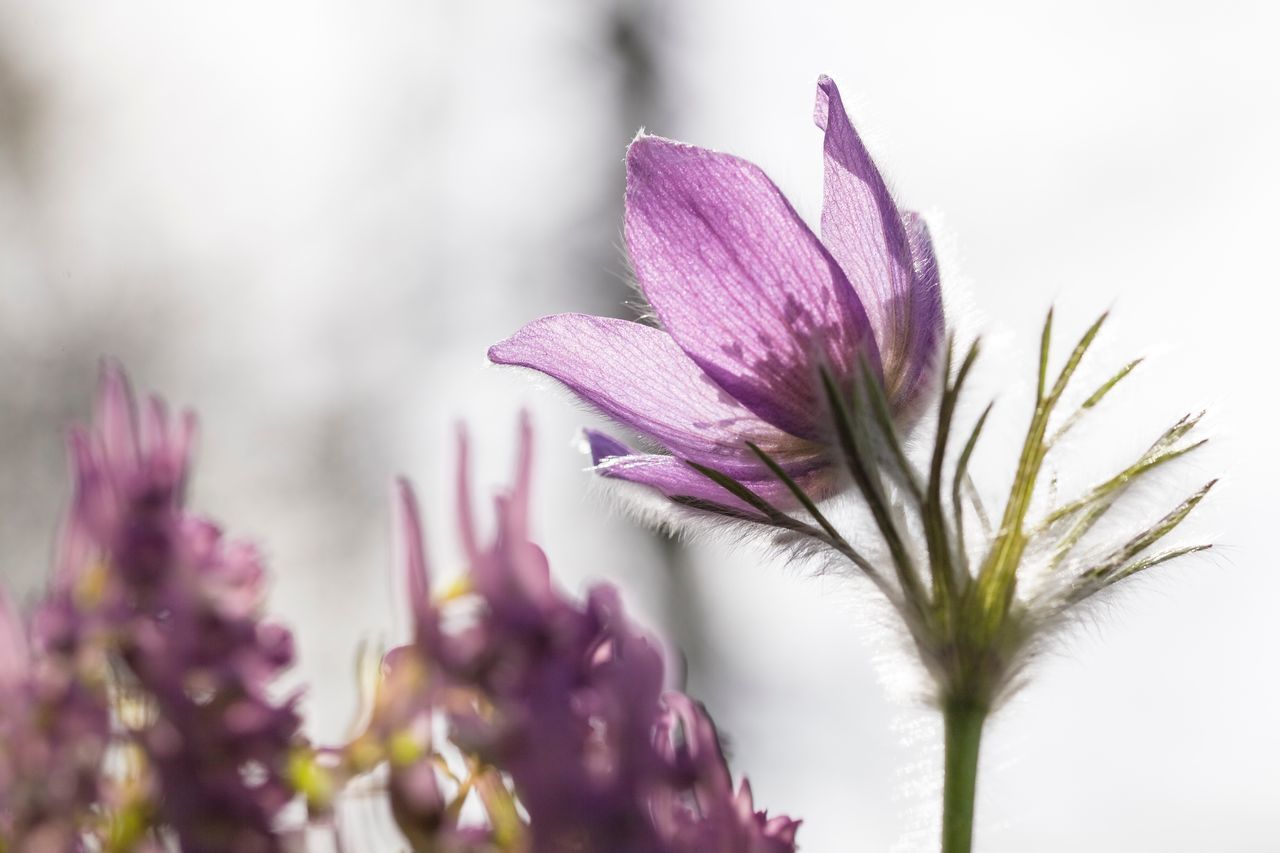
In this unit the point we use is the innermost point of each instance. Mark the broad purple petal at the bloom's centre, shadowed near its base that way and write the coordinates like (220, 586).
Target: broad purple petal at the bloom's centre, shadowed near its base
(739, 281)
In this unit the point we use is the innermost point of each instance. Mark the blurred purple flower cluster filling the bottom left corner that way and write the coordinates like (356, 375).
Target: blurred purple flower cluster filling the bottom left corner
(139, 695)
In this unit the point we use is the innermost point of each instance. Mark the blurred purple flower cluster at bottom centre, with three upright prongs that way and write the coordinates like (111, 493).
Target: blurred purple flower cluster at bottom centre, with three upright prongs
(566, 700)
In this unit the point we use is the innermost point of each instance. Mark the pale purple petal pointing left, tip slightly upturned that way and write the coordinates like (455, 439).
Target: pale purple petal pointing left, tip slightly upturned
(638, 376)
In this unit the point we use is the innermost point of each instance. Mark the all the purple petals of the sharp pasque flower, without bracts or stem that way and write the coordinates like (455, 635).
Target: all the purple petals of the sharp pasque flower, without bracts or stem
(752, 307)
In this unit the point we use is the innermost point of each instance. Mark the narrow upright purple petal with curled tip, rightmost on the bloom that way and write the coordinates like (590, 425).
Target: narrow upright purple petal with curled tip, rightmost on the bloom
(889, 262)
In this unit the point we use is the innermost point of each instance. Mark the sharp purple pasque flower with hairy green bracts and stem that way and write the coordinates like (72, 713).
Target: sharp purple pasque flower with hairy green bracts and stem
(784, 359)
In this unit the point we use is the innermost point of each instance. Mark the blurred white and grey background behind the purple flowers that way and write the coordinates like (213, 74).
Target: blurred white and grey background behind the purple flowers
(310, 220)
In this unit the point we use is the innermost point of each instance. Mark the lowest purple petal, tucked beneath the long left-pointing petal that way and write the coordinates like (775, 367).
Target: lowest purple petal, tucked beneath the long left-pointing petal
(674, 477)
